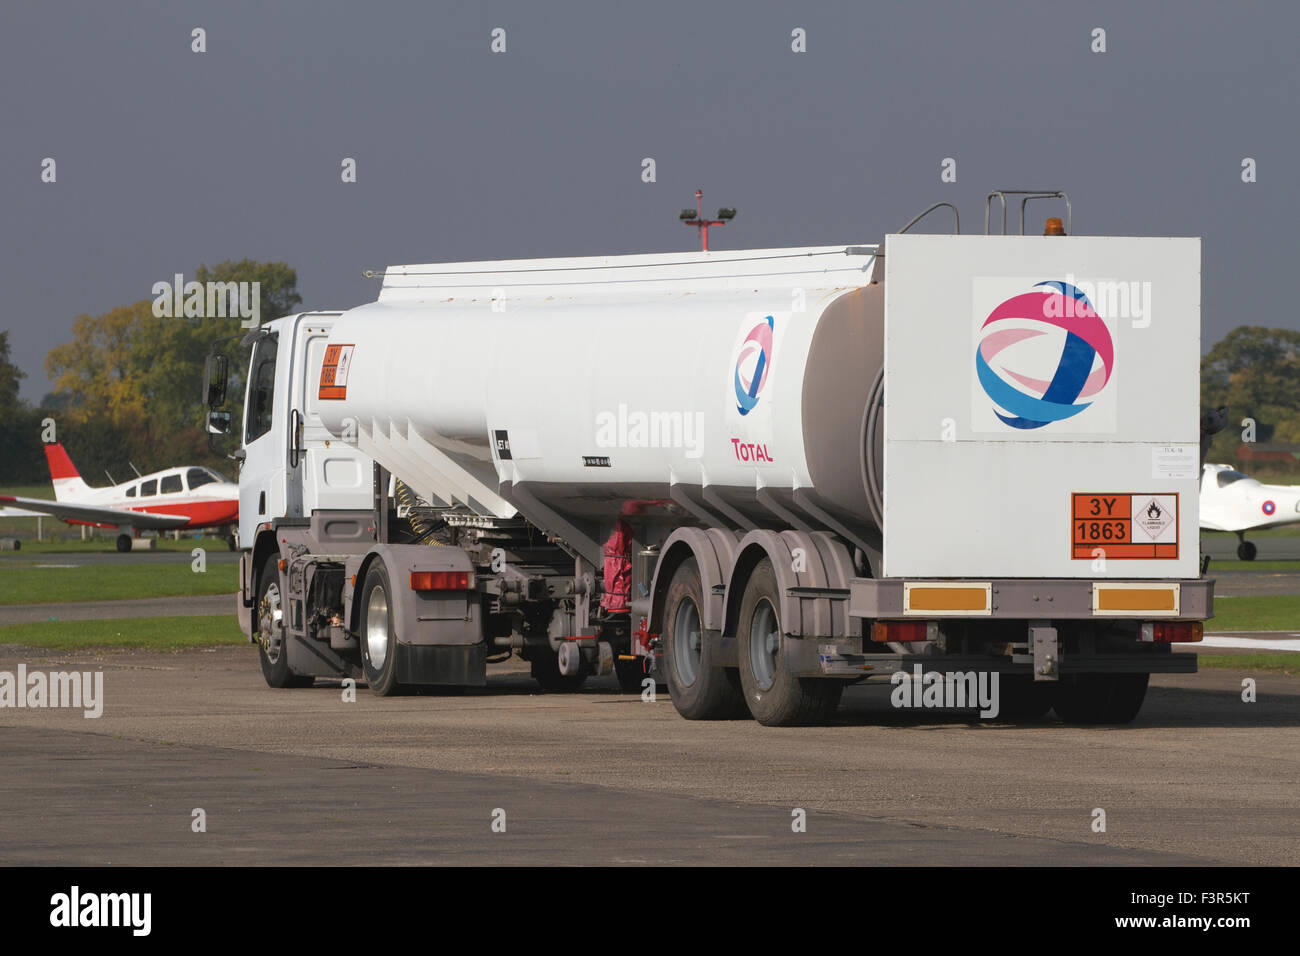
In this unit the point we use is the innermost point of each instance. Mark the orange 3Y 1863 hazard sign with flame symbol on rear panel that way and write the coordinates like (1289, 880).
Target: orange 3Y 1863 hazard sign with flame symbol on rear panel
(1128, 525)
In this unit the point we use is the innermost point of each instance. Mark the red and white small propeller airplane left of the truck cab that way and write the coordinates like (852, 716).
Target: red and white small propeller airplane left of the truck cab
(187, 498)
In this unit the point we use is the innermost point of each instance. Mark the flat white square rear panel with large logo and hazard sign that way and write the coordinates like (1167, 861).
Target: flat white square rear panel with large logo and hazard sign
(1030, 383)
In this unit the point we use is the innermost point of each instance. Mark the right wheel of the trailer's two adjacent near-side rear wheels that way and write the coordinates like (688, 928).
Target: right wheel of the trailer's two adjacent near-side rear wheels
(777, 699)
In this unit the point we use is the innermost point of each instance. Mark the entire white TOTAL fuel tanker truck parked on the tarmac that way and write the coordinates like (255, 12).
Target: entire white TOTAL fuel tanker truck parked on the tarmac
(753, 477)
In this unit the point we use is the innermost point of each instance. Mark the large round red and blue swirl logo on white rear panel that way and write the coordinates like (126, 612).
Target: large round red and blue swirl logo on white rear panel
(1039, 395)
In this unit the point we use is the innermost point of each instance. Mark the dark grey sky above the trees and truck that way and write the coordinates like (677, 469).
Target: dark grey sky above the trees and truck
(168, 159)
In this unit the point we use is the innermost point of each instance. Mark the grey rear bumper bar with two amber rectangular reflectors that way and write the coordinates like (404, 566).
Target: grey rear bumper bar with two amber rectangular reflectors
(1038, 599)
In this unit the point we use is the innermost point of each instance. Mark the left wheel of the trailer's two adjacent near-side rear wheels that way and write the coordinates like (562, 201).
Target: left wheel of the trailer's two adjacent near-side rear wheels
(700, 690)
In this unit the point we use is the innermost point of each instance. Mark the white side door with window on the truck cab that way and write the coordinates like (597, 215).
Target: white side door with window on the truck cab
(262, 477)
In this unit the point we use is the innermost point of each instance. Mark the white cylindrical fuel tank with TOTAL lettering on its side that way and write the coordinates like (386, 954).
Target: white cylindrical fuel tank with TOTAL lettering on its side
(717, 388)
